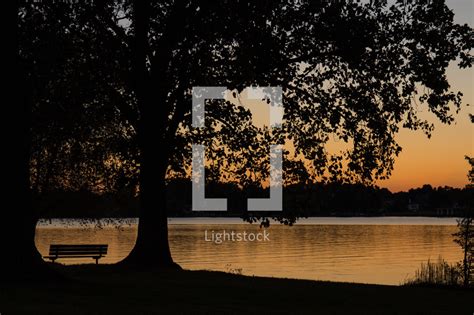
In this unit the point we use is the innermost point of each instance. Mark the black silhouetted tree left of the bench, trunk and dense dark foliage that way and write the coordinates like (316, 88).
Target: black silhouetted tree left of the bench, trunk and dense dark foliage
(54, 129)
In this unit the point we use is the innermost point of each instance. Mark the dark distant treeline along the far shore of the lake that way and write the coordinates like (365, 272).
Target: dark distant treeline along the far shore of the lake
(332, 199)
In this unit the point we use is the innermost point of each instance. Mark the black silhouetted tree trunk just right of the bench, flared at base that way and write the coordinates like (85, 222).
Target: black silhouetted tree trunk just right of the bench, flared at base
(152, 248)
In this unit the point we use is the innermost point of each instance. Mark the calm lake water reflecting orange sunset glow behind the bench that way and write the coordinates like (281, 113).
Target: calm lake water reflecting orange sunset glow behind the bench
(370, 250)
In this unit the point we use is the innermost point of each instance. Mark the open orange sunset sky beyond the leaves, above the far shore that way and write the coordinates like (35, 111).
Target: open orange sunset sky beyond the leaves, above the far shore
(438, 161)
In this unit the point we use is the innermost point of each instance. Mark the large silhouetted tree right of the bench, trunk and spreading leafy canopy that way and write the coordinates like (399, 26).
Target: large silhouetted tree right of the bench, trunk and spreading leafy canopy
(355, 71)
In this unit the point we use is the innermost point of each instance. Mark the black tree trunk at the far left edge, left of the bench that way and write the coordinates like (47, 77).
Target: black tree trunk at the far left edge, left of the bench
(20, 259)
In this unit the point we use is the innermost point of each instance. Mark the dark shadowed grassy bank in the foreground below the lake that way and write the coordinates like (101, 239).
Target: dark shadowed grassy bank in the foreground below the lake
(107, 289)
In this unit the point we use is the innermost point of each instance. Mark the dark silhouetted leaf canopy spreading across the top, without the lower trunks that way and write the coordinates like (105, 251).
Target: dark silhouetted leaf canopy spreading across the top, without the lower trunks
(113, 80)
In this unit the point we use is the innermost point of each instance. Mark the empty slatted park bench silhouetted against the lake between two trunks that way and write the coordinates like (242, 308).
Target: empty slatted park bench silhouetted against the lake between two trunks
(77, 251)
